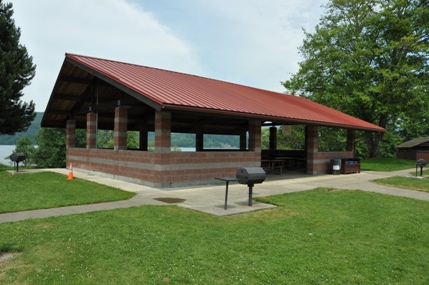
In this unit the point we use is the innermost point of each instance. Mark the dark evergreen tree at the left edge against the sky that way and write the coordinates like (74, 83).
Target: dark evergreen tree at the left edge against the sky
(16, 72)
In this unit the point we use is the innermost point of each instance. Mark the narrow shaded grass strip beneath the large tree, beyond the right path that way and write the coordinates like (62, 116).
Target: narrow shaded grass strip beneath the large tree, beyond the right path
(387, 164)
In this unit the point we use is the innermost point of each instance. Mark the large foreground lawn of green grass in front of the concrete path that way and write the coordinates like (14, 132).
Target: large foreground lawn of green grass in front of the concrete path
(323, 236)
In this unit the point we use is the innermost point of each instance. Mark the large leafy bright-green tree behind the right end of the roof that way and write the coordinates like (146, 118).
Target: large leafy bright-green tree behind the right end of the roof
(368, 58)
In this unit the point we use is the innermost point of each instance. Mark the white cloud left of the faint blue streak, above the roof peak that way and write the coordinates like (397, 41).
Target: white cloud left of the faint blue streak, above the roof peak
(111, 29)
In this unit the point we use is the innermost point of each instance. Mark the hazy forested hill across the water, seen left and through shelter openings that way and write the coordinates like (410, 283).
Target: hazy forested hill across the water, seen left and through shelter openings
(177, 139)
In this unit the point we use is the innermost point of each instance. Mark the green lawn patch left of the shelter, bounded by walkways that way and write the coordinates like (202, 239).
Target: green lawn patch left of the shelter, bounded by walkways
(42, 190)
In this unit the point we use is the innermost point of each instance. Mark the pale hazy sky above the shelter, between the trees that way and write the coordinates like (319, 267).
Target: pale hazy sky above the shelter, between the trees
(248, 42)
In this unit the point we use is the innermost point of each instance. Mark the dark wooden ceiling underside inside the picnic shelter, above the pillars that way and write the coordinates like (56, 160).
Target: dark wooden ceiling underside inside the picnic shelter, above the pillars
(78, 92)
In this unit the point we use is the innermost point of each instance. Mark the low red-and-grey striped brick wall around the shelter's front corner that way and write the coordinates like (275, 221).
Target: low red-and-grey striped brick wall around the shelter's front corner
(162, 170)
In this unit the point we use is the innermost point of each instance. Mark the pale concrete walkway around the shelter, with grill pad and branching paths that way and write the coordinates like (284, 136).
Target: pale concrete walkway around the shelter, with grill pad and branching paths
(211, 199)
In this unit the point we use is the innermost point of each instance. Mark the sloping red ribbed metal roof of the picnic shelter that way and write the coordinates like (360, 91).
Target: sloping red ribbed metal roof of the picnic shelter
(173, 90)
